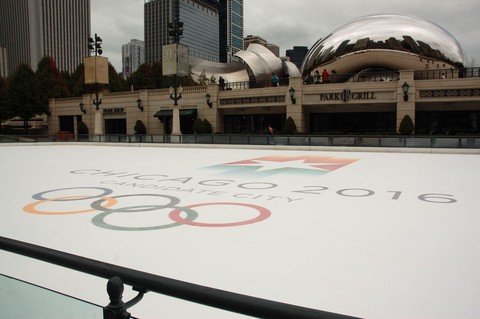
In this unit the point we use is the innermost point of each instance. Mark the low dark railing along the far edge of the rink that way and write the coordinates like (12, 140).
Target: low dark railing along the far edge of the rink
(391, 141)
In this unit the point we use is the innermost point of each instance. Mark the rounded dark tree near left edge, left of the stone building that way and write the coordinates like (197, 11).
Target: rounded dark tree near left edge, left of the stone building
(22, 95)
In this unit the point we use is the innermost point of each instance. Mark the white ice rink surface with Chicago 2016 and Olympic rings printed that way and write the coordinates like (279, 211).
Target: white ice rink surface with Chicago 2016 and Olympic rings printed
(372, 235)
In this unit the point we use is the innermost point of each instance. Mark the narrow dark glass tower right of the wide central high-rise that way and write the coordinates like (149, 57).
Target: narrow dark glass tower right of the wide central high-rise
(231, 29)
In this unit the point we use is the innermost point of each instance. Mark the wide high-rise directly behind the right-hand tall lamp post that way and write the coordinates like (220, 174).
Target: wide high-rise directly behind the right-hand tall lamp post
(200, 27)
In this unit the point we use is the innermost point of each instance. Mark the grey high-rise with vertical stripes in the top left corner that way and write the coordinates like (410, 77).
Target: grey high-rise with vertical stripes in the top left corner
(33, 29)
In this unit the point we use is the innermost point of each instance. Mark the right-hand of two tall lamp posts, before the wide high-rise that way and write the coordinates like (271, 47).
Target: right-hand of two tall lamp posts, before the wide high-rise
(175, 31)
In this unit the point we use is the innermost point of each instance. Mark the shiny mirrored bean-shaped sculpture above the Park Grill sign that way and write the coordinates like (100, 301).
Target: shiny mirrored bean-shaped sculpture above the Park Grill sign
(386, 42)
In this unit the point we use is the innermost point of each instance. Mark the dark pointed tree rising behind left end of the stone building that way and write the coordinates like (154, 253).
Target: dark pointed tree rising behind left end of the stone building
(51, 83)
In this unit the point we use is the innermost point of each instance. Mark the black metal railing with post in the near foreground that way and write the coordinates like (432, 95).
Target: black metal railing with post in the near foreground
(146, 282)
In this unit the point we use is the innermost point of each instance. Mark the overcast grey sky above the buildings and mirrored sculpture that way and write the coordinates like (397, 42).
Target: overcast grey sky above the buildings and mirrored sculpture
(288, 23)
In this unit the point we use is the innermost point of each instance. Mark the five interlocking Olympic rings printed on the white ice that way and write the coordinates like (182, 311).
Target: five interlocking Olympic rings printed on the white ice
(108, 205)
